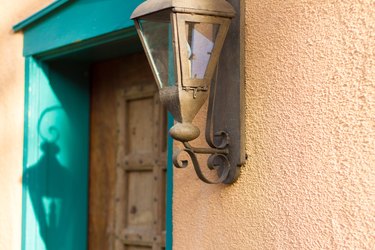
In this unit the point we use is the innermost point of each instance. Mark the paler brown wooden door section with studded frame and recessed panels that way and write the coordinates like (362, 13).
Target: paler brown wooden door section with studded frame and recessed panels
(141, 161)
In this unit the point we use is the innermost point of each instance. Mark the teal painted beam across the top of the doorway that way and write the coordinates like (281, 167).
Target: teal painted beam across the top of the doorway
(78, 21)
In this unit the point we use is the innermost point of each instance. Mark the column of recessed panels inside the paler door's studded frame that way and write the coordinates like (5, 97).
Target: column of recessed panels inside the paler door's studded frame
(140, 135)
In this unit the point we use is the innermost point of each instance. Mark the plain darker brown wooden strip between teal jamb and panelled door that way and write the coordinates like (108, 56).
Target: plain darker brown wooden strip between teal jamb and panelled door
(102, 158)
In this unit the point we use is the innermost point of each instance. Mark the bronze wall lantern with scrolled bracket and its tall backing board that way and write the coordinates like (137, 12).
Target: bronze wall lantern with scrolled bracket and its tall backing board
(177, 36)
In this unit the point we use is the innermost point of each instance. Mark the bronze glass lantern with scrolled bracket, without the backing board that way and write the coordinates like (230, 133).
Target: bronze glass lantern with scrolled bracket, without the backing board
(183, 40)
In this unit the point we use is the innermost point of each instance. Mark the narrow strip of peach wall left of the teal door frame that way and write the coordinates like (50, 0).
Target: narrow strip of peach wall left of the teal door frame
(11, 118)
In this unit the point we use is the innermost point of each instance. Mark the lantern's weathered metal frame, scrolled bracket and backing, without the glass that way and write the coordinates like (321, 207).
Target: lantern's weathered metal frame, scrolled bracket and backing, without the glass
(224, 128)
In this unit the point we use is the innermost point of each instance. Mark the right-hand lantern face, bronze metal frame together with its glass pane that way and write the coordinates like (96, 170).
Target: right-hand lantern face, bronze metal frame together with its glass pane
(201, 38)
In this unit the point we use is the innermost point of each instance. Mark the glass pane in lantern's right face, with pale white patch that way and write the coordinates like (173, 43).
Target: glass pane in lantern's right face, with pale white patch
(201, 39)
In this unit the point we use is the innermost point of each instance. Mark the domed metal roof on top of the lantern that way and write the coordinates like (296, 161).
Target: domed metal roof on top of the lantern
(207, 7)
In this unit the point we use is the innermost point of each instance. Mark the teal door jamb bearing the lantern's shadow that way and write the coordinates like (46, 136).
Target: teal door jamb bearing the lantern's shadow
(55, 176)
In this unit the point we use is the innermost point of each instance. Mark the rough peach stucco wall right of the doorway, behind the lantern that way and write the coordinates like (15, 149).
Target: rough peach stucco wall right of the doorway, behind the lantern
(310, 124)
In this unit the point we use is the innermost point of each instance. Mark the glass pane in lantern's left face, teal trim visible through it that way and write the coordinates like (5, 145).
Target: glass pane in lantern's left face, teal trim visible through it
(157, 36)
